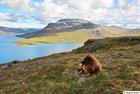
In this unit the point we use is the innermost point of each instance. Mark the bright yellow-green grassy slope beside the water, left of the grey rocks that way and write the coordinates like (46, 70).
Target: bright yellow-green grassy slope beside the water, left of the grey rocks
(74, 36)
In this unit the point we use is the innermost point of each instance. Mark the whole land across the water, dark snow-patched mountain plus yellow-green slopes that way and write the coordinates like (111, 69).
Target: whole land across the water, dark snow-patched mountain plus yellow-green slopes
(74, 30)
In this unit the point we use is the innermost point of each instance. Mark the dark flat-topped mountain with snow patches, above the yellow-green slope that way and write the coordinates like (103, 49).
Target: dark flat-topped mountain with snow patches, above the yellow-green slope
(63, 25)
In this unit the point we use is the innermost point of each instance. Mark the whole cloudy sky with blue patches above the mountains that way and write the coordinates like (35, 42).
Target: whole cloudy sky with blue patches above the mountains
(38, 13)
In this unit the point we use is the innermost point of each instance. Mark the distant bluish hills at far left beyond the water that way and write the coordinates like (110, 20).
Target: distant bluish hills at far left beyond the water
(16, 30)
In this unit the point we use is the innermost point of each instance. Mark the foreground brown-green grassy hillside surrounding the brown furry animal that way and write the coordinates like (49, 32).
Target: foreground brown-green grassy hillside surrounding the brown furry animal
(56, 74)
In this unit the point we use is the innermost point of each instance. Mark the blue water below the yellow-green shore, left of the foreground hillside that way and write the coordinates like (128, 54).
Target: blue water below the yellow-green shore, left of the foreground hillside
(9, 51)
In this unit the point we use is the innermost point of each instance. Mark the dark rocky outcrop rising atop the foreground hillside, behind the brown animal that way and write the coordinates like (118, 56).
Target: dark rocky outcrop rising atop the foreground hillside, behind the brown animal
(93, 45)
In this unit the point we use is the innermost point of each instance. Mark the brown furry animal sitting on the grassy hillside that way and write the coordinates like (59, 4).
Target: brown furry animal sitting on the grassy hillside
(89, 65)
